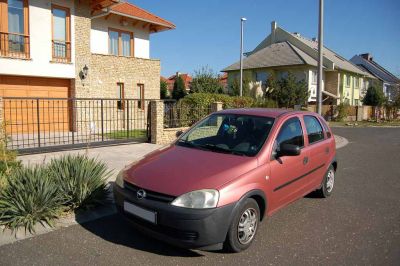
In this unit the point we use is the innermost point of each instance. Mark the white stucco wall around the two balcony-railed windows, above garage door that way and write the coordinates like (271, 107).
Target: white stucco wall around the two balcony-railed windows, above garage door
(40, 45)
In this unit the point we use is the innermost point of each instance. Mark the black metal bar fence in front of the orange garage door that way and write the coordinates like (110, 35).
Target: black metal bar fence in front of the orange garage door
(54, 123)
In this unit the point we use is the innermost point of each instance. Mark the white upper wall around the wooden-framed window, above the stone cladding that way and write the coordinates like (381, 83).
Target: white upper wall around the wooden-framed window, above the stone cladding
(99, 36)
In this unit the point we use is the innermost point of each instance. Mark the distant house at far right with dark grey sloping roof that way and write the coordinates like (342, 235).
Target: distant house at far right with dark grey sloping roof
(385, 80)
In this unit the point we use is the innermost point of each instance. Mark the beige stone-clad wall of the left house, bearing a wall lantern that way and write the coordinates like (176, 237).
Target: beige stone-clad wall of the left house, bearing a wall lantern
(105, 71)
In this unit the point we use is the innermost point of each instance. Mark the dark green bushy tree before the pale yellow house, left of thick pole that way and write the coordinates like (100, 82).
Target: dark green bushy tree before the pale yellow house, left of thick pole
(287, 92)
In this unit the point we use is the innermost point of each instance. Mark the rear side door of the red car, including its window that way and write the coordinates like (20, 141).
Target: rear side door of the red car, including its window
(318, 148)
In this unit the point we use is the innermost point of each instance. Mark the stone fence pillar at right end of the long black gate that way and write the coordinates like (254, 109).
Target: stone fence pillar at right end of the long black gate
(156, 120)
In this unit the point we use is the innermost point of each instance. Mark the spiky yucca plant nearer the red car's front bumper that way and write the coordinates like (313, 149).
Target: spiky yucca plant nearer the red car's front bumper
(81, 180)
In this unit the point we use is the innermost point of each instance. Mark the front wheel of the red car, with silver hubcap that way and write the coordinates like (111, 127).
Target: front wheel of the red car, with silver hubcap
(247, 218)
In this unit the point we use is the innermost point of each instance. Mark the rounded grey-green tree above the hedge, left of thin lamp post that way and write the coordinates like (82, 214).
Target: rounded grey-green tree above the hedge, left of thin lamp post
(206, 81)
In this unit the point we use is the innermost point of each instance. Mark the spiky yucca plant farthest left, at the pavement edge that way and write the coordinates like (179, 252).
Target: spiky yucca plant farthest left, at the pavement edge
(30, 197)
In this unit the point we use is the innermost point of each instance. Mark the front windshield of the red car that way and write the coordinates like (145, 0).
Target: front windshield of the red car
(229, 133)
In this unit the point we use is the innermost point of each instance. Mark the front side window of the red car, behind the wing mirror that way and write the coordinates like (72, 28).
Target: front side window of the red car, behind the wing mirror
(290, 133)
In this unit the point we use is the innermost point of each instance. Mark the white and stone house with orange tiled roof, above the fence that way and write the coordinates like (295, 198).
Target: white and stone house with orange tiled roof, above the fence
(78, 49)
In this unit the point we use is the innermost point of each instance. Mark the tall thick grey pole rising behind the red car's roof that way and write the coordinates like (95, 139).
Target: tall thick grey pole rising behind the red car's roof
(320, 55)
